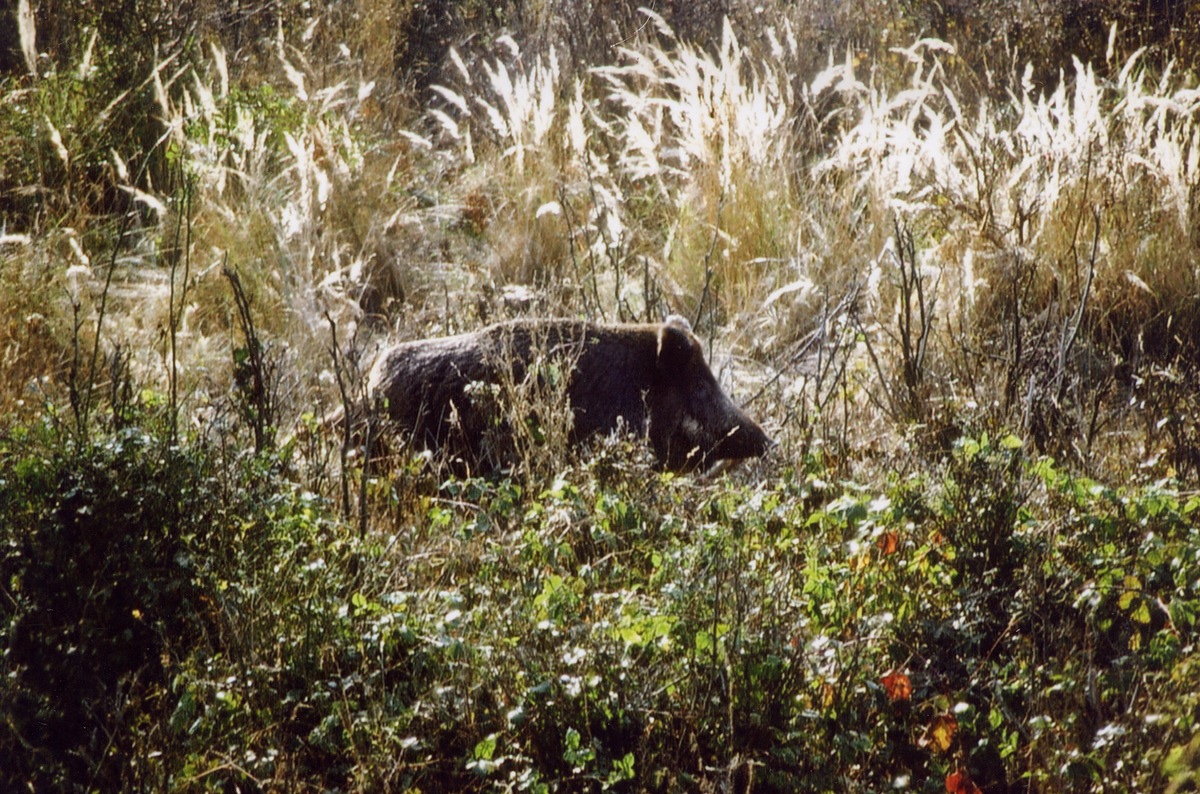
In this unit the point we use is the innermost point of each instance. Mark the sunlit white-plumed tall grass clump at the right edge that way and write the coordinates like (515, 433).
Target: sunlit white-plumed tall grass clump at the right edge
(1017, 172)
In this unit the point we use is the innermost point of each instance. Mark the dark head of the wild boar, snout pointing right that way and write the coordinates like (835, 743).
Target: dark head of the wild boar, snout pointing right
(693, 423)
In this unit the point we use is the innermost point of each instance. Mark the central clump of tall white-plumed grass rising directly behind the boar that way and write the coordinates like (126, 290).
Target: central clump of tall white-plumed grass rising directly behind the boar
(661, 167)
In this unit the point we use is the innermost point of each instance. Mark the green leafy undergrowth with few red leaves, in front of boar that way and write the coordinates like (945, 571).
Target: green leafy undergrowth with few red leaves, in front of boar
(181, 621)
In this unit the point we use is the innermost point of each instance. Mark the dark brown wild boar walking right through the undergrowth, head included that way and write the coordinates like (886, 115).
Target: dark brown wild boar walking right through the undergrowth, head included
(652, 378)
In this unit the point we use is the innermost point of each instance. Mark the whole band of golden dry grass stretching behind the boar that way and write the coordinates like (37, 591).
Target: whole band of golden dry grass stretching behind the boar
(721, 183)
